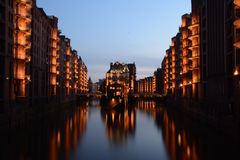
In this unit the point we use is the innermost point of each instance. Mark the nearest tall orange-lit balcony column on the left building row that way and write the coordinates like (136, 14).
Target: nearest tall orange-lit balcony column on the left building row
(22, 18)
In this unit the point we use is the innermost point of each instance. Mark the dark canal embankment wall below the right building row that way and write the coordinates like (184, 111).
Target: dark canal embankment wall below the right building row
(216, 114)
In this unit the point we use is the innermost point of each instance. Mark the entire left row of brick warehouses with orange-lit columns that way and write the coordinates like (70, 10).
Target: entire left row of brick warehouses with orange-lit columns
(37, 65)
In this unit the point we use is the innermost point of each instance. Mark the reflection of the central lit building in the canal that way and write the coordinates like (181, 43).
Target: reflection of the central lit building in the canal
(120, 125)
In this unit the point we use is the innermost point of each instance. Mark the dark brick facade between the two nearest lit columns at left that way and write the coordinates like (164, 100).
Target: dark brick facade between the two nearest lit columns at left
(41, 56)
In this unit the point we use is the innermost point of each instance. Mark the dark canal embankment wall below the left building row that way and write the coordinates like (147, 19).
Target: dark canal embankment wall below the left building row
(21, 116)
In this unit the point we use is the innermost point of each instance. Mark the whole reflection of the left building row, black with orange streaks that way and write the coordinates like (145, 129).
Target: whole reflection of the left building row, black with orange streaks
(54, 137)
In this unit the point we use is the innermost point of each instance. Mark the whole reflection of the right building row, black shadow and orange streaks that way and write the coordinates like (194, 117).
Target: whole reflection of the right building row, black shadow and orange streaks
(186, 140)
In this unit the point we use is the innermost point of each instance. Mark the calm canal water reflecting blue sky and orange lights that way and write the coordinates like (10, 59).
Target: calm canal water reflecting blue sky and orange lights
(146, 130)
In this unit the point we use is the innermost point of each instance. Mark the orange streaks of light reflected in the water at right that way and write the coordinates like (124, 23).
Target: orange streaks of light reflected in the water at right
(176, 138)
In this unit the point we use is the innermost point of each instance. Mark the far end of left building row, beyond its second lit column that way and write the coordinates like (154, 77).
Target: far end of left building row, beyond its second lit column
(75, 80)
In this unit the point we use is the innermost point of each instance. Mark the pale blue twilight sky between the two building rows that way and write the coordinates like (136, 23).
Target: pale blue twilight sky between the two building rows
(105, 31)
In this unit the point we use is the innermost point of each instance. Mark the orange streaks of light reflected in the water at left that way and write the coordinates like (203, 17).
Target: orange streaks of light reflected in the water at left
(66, 139)
